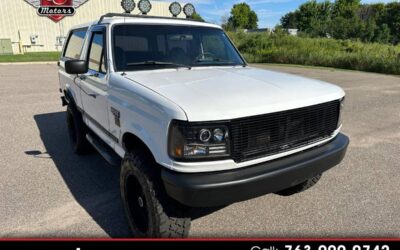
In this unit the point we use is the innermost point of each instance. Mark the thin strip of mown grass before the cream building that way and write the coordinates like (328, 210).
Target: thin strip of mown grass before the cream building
(31, 57)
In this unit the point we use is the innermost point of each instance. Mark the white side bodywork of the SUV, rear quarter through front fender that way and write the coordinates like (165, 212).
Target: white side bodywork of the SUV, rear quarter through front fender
(121, 106)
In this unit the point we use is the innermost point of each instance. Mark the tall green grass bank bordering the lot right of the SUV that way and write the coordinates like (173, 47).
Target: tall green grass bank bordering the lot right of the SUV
(342, 54)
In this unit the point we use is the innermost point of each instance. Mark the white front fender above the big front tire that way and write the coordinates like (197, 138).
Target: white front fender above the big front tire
(143, 113)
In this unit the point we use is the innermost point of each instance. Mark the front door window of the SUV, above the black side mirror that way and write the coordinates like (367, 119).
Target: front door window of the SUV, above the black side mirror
(96, 53)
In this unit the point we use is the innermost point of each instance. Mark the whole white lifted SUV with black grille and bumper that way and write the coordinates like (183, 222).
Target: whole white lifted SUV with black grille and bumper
(191, 124)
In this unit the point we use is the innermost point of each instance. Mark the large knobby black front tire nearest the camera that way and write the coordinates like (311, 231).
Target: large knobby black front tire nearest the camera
(150, 211)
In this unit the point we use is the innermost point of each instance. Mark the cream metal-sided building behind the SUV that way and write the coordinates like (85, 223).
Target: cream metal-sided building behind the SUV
(21, 27)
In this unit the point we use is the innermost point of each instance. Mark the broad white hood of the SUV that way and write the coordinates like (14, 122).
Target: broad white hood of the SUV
(210, 94)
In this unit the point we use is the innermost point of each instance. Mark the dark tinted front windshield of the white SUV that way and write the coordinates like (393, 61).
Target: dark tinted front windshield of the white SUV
(138, 47)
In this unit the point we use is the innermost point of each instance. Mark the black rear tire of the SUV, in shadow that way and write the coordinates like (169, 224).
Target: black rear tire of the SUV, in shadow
(77, 130)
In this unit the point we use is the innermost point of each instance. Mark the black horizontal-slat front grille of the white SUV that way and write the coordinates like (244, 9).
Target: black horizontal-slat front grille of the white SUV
(265, 135)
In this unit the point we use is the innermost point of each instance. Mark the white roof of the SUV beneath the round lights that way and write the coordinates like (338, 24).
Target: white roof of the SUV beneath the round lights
(149, 20)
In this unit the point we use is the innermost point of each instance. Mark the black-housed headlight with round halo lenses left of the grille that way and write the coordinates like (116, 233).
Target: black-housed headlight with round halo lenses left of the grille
(195, 141)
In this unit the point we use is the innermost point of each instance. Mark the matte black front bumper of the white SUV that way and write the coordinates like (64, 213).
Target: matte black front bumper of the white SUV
(227, 187)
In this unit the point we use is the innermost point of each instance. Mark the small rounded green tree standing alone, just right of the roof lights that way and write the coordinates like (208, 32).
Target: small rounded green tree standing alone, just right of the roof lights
(242, 17)
